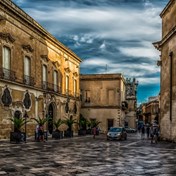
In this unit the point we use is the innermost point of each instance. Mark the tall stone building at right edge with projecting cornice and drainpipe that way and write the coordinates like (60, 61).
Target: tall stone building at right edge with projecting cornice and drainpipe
(167, 62)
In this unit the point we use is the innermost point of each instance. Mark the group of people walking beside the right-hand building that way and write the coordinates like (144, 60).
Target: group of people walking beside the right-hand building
(152, 132)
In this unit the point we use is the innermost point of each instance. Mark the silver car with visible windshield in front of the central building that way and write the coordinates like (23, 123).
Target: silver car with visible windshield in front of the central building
(117, 133)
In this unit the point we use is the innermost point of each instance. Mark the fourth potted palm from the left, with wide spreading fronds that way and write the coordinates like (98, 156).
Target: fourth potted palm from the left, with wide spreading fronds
(69, 122)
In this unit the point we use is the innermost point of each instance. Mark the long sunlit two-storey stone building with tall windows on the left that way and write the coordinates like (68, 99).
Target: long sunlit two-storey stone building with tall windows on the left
(38, 74)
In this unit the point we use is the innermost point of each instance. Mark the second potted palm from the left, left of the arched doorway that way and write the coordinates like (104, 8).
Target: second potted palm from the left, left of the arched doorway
(40, 125)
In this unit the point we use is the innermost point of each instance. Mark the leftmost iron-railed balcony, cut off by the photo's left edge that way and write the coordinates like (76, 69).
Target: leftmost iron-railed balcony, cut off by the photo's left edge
(7, 74)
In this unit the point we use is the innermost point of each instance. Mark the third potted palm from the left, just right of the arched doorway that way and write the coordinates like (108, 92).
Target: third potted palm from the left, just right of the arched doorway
(57, 134)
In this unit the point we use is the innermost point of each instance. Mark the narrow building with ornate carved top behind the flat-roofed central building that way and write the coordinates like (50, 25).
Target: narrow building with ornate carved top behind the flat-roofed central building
(131, 99)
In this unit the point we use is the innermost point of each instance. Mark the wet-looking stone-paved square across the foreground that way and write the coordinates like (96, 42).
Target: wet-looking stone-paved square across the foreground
(84, 156)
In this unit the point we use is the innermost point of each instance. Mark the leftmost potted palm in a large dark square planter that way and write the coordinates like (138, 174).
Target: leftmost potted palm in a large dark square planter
(17, 135)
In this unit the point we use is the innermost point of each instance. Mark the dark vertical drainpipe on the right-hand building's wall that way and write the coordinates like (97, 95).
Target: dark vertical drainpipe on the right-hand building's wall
(171, 62)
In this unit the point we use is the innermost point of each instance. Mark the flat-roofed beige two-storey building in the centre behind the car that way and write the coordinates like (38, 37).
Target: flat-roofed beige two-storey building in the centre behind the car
(102, 98)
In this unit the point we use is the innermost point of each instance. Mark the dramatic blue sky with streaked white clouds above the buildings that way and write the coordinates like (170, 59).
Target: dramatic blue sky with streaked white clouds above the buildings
(110, 36)
